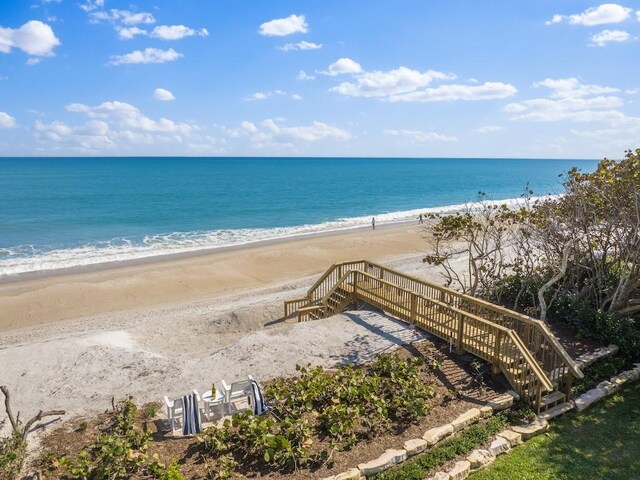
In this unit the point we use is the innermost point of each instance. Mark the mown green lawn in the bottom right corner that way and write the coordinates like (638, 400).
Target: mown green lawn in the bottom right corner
(601, 443)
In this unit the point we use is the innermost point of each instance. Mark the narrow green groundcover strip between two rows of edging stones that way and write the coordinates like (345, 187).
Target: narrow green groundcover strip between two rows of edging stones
(420, 466)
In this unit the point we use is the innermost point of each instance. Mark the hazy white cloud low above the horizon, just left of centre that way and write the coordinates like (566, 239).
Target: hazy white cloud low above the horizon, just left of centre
(269, 132)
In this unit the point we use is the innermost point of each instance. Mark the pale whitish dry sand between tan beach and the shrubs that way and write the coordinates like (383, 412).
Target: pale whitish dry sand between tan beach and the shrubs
(80, 373)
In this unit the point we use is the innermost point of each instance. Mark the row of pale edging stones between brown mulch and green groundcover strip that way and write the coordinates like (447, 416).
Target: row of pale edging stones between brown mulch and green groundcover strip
(431, 437)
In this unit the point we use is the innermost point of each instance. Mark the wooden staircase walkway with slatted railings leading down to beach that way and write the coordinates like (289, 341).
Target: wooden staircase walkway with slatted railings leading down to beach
(521, 348)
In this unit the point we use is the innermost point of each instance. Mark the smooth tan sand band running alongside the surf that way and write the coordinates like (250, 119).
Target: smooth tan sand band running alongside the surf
(29, 300)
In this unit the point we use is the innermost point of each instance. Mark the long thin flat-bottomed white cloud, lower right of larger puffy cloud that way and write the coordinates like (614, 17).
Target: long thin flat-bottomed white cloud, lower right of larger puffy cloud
(454, 92)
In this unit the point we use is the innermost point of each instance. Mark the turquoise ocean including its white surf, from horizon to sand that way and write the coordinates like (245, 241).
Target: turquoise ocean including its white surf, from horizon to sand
(60, 212)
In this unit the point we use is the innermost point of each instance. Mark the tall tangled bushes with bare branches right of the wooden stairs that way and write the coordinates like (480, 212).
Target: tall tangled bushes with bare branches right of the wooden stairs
(573, 258)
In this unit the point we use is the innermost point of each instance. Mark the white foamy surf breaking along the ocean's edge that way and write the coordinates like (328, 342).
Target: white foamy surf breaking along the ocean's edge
(27, 258)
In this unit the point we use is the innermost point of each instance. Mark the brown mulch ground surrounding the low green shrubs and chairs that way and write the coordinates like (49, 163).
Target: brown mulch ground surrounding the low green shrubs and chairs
(460, 383)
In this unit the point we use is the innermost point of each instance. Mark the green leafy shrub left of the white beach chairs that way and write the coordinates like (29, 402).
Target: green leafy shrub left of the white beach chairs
(117, 454)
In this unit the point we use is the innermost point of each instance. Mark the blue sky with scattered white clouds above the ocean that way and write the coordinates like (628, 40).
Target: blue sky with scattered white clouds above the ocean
(390, 78)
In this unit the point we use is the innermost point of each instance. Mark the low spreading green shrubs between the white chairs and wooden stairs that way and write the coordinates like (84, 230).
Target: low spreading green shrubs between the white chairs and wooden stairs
(317, 413)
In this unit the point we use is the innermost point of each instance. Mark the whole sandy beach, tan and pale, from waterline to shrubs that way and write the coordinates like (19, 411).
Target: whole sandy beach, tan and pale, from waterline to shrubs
(75, 340)
